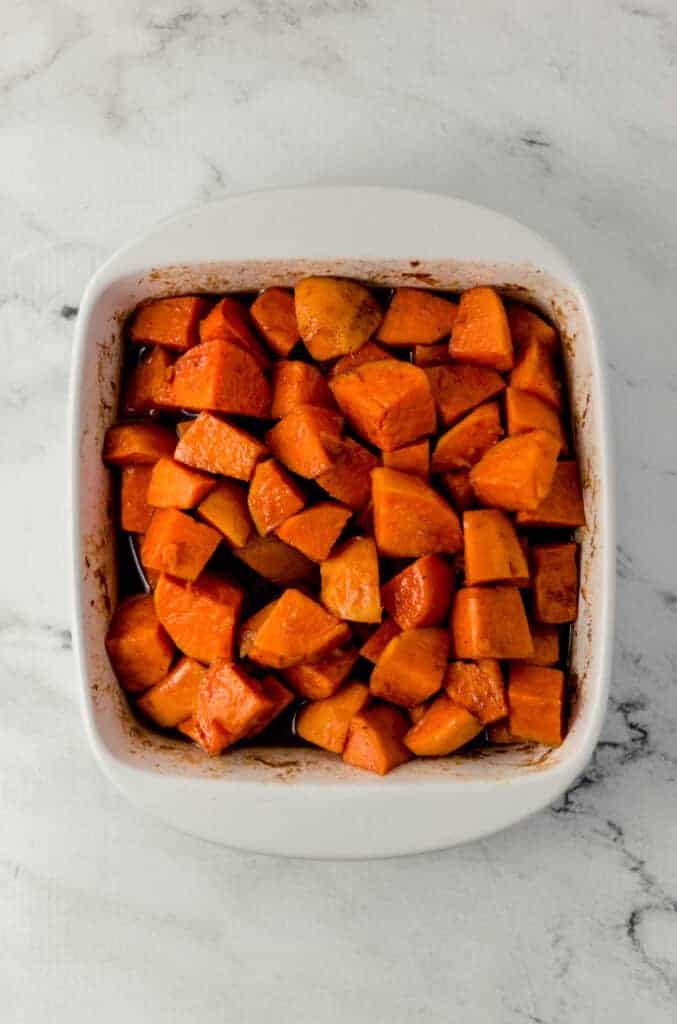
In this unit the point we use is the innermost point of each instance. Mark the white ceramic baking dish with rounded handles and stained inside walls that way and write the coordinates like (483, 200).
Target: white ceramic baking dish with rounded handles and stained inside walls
(300, 801)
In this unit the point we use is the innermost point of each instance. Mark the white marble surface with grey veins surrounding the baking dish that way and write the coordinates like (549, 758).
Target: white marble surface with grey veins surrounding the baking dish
(113, 116)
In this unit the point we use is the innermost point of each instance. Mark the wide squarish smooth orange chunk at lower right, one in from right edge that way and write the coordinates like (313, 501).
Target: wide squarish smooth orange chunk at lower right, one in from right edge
(490, 622)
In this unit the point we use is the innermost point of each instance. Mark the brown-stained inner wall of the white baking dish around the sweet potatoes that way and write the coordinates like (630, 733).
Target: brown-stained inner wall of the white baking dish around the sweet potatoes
(123, 736)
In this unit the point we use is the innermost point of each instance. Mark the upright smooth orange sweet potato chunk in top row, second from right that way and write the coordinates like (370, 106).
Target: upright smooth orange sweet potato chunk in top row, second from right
(481, 333)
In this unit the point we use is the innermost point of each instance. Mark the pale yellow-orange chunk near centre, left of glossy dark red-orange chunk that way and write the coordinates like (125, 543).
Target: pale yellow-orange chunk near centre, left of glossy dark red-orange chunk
(351, 582)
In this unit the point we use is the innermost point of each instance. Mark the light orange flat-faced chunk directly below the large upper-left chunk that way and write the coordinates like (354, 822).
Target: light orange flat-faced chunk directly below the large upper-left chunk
(218, 447)
